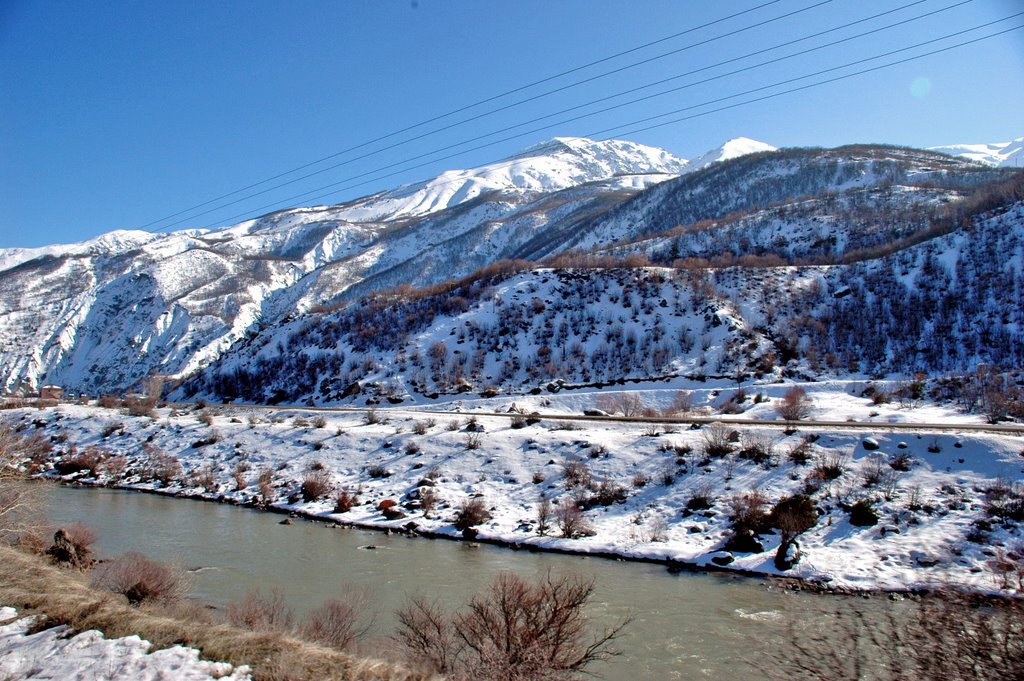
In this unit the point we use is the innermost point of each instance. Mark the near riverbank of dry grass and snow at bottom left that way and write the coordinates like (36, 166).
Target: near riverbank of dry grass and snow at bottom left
(57, 599)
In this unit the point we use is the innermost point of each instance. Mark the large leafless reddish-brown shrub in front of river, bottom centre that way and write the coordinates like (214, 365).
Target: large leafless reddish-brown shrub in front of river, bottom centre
(513, 631)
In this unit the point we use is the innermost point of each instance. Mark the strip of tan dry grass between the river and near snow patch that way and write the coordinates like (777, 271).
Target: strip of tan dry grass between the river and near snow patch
(32, 586)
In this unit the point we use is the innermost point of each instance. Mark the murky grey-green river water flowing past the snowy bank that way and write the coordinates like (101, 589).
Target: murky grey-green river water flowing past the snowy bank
(687, 626)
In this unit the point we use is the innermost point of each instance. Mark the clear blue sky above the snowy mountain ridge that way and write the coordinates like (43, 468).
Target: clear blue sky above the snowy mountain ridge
(117, 114)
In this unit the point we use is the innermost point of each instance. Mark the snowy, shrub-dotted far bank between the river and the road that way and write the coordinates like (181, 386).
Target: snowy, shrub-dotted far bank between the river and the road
(935, 521)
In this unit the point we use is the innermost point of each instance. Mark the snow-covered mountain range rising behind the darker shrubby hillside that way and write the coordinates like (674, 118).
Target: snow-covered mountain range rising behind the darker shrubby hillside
(102, 315)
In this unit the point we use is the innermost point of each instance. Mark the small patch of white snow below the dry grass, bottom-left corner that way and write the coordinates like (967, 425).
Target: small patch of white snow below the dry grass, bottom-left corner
(89, 657)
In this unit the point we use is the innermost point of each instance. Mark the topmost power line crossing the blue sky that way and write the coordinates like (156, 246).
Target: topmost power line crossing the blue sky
(472, 106)
